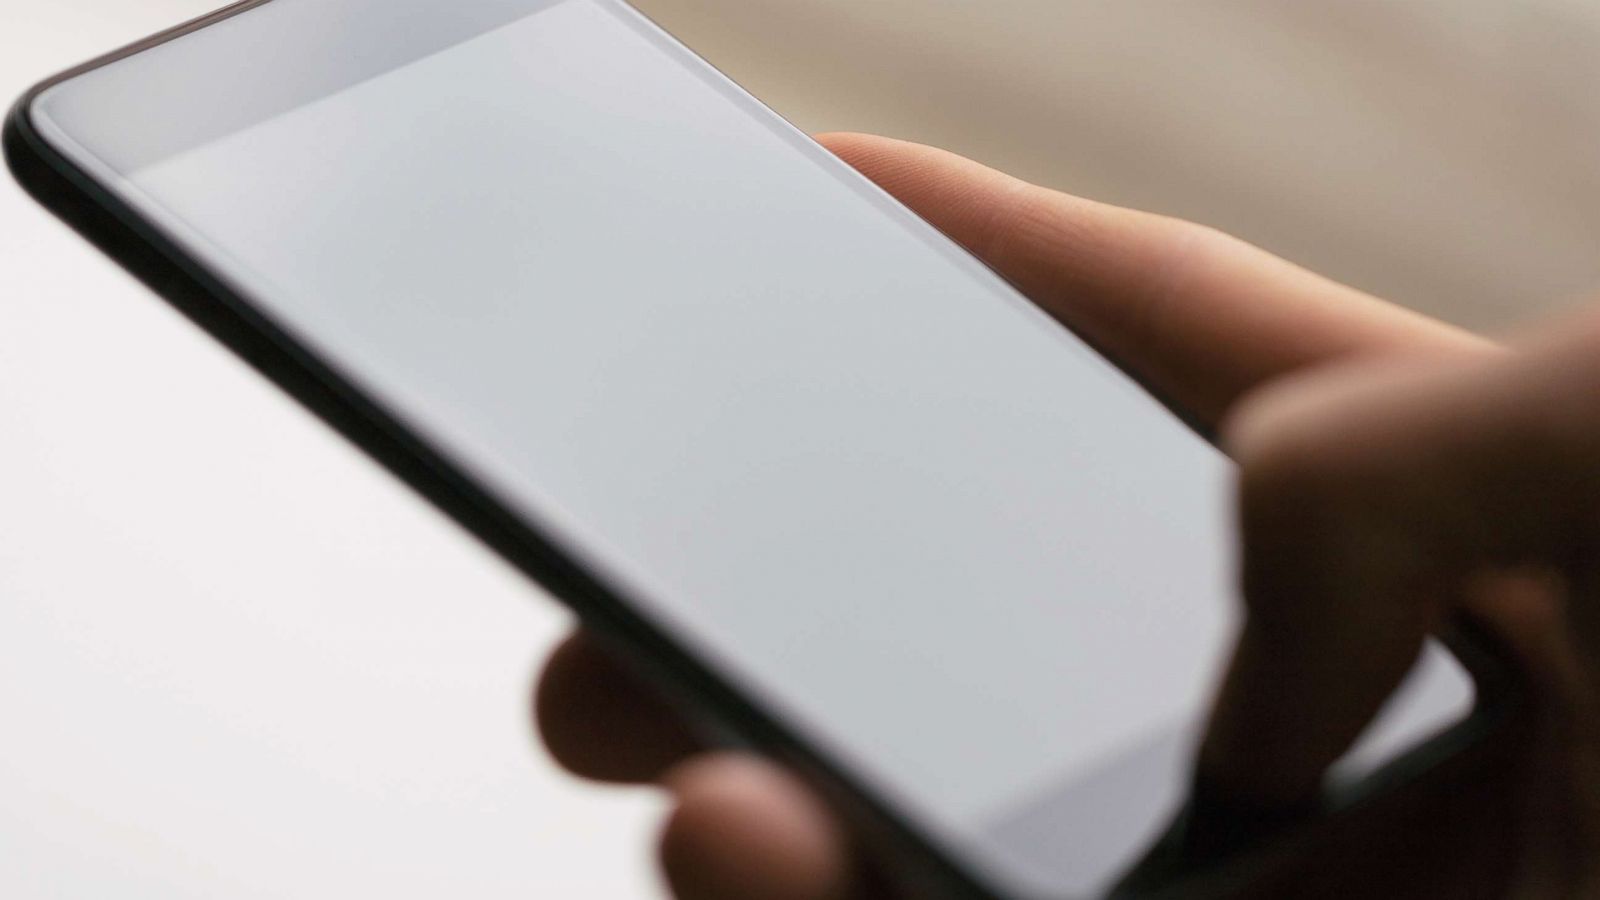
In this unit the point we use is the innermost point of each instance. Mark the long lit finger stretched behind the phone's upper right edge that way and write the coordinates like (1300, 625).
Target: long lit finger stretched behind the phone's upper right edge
(1199, 316)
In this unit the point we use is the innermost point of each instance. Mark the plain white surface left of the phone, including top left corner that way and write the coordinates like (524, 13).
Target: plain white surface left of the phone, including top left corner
(236, 659)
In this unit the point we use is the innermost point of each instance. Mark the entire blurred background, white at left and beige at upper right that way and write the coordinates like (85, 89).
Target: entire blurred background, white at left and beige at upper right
(239, 661)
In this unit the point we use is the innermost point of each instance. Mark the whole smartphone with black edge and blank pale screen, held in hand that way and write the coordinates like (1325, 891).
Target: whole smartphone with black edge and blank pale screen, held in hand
(818, 470)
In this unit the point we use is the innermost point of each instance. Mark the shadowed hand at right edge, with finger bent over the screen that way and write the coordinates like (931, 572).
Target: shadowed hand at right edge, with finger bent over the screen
(1380, 500)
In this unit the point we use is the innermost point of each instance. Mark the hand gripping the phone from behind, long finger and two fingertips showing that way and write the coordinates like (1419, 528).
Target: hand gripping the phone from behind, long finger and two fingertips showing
(1201, 318)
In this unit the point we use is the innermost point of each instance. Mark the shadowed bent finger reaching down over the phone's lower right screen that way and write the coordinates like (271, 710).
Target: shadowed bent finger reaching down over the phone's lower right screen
(1372, 500)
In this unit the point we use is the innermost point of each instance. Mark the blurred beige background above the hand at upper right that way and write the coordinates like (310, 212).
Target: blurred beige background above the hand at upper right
(1439, 153)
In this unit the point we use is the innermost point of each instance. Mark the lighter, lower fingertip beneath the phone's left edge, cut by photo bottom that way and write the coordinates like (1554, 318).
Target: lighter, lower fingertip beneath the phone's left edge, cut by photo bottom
(746, 829)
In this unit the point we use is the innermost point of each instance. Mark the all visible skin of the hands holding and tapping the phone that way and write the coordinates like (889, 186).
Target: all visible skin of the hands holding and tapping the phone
(1393, 473)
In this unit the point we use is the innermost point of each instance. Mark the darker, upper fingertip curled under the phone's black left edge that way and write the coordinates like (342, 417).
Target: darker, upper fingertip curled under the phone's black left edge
(601, 723)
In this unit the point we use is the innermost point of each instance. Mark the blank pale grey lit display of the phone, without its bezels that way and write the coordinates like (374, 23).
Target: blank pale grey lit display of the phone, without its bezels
(849, 465)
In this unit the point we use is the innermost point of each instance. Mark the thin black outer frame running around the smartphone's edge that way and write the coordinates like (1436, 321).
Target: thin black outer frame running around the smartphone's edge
(916, 861)
